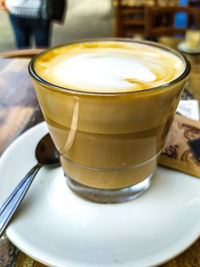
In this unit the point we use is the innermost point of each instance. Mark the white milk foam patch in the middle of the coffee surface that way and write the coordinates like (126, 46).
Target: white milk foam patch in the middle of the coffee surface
(90, 70)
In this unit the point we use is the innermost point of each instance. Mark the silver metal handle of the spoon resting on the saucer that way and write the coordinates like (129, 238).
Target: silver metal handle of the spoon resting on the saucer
(13, 201)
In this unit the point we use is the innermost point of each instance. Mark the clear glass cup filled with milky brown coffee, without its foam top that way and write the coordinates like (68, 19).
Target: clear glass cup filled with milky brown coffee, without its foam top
(109, 142)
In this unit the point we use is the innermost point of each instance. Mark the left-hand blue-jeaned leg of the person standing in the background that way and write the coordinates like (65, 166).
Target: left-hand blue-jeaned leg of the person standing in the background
(22, 34)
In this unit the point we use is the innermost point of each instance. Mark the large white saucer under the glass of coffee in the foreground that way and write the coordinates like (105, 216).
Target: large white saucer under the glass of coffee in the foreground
(58, 228)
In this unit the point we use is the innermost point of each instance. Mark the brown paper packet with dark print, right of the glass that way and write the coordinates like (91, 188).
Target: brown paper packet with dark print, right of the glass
(177, 153)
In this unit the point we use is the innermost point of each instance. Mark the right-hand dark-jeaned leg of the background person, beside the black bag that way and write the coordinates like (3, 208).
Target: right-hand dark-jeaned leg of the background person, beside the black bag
(41, 31)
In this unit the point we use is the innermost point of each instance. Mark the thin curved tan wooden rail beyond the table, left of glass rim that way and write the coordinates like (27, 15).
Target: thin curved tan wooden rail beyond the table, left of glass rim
(20, 53)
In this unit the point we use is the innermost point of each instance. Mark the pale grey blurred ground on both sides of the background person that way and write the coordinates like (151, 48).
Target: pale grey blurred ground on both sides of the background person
(83, 19)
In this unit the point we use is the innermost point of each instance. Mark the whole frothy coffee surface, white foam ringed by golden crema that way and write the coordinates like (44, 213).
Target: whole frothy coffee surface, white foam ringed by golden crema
(108, 66)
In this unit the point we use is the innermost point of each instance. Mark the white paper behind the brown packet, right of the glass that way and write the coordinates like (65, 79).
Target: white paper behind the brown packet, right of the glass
(189, 108)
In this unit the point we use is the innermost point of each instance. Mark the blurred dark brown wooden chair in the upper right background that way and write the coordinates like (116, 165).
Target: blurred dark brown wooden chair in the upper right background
(160, 21)
